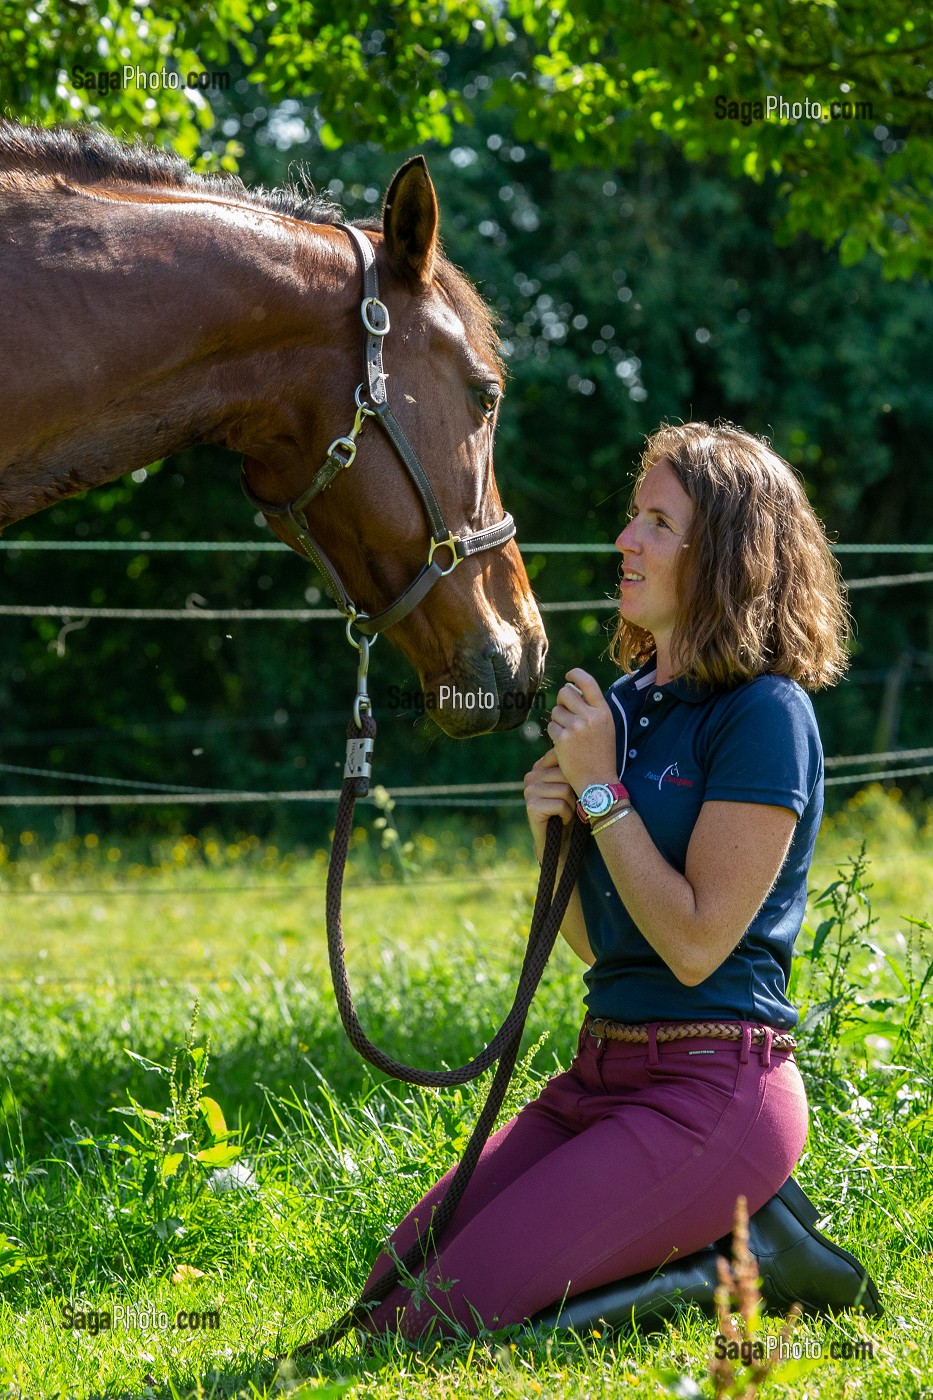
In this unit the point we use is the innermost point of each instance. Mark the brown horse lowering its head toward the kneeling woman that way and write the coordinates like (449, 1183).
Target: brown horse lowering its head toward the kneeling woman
(146, 309)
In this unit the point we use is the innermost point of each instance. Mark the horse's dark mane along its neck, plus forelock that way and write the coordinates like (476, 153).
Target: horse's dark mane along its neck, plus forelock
(89, 156)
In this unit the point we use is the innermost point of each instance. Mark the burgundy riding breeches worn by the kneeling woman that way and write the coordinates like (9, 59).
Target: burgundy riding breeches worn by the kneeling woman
(631, 1158)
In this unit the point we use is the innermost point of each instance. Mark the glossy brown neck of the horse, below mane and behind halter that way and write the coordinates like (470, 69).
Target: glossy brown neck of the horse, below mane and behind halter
(148, 323)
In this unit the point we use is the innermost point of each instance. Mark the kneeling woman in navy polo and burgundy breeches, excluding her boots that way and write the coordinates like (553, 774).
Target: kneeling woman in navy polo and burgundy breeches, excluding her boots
(701, 776)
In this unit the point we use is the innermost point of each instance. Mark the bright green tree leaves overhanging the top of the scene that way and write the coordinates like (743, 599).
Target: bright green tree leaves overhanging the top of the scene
(836, 100)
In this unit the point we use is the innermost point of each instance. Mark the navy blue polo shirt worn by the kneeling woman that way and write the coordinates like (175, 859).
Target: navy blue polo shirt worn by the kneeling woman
(677, 747)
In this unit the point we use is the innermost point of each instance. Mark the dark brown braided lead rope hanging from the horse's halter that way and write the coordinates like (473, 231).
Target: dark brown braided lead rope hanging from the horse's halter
(546, 925)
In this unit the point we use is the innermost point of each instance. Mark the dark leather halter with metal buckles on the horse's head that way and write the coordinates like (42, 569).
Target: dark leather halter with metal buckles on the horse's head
(372, 402)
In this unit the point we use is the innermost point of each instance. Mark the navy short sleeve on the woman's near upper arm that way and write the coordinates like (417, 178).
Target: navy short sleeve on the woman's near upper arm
(766, 747)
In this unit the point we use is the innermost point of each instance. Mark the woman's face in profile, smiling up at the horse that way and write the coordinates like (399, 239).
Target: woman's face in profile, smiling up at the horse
(651, 547)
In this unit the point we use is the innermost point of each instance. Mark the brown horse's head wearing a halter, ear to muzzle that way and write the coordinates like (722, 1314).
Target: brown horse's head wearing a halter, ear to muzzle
(476, 639)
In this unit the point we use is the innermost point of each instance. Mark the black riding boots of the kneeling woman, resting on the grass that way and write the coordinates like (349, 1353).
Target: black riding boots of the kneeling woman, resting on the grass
(795, 1261)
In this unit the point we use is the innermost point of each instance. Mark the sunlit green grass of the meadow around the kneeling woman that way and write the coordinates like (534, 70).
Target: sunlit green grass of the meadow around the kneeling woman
(106, 955)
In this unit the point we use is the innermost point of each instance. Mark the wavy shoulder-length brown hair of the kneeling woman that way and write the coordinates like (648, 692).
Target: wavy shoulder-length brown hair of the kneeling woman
(760, 589)
